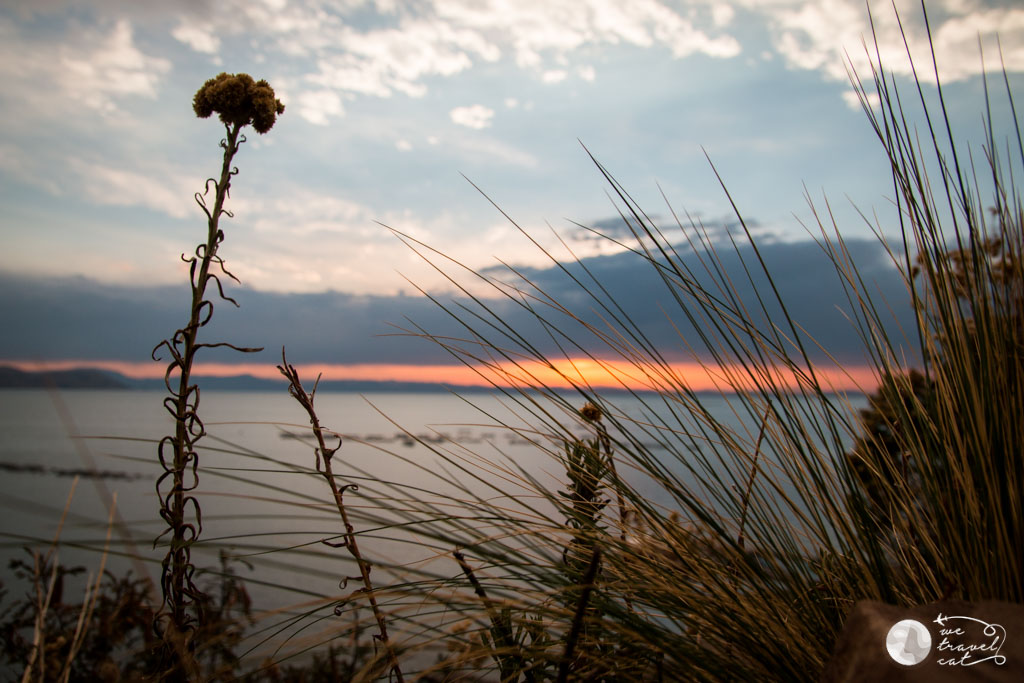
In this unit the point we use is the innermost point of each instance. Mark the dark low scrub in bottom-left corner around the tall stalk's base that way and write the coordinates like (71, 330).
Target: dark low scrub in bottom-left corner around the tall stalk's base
(105, 631)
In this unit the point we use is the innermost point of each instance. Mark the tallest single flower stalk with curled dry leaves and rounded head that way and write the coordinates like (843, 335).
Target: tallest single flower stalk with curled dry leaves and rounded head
(240, 102)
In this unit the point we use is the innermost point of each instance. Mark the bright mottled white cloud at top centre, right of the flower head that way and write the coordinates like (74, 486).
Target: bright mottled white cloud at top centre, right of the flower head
(411, 44)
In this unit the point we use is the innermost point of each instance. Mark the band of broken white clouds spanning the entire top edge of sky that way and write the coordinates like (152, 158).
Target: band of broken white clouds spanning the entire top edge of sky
(394, 50)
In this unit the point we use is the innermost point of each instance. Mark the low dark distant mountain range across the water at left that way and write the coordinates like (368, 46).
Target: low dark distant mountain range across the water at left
(91, 378)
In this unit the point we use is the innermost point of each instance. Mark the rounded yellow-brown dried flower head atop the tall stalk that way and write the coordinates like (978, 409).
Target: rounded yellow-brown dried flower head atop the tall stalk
(239, 100)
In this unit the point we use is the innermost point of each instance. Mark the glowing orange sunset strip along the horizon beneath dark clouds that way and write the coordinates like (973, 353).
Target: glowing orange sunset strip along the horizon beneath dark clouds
(562, 375)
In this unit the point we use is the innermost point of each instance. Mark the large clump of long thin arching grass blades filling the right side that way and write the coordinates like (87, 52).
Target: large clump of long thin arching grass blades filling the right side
(735, 549)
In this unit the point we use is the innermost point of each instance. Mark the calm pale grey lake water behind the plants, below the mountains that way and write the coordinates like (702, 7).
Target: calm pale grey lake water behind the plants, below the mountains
(260, 501)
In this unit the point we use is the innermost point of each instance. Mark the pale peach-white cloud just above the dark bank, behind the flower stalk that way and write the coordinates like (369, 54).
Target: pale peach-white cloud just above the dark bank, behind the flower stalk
(291, 238)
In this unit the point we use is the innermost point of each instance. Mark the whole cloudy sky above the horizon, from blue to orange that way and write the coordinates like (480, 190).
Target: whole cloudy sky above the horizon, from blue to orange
(453, 122)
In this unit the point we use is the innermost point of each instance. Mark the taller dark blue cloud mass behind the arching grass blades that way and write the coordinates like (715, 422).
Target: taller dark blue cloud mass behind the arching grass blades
(806, 281)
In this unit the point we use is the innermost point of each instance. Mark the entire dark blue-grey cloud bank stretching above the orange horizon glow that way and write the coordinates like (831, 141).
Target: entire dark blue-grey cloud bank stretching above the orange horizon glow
(75, 318)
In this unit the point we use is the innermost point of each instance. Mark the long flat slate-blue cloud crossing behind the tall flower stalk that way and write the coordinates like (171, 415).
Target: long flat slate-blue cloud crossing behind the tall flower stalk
(77, 318)
